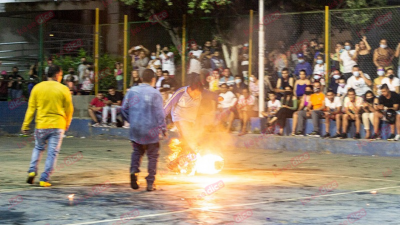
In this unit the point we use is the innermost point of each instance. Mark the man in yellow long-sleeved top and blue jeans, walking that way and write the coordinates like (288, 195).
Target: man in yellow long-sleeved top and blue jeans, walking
(52, 103)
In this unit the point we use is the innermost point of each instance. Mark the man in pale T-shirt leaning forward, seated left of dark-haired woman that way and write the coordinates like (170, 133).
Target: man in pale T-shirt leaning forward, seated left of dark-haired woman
(352, 112)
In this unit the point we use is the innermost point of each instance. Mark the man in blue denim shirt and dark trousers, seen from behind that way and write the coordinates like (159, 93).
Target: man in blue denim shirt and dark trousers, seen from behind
(146, 119)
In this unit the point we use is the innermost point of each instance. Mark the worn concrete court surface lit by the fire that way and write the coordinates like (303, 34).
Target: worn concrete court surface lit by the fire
(249, 186)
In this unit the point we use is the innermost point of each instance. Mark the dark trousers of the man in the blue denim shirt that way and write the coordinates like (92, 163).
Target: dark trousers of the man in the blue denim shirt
(152, 156)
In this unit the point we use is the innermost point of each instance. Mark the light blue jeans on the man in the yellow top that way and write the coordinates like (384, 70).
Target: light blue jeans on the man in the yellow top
(53, 137)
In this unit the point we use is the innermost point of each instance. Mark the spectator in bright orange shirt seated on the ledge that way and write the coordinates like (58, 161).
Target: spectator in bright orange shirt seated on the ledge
(317, 104)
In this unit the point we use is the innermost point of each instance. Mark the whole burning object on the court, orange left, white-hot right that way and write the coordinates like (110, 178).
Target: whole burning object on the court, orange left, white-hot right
(189, 162)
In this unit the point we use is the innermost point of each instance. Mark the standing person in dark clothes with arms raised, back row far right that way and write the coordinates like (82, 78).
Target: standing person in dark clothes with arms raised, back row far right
(364, 57)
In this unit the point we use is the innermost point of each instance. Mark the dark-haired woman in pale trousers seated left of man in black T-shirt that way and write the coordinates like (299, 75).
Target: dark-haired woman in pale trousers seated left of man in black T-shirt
(369, 105)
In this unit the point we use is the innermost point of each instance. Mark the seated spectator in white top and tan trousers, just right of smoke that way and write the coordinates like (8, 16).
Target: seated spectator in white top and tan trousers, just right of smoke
(225, 113)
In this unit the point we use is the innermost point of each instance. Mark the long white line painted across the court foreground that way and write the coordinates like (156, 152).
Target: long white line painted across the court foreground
(236, 205)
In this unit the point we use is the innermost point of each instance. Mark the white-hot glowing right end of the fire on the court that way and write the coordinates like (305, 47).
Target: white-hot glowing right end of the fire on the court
(209, 164)
